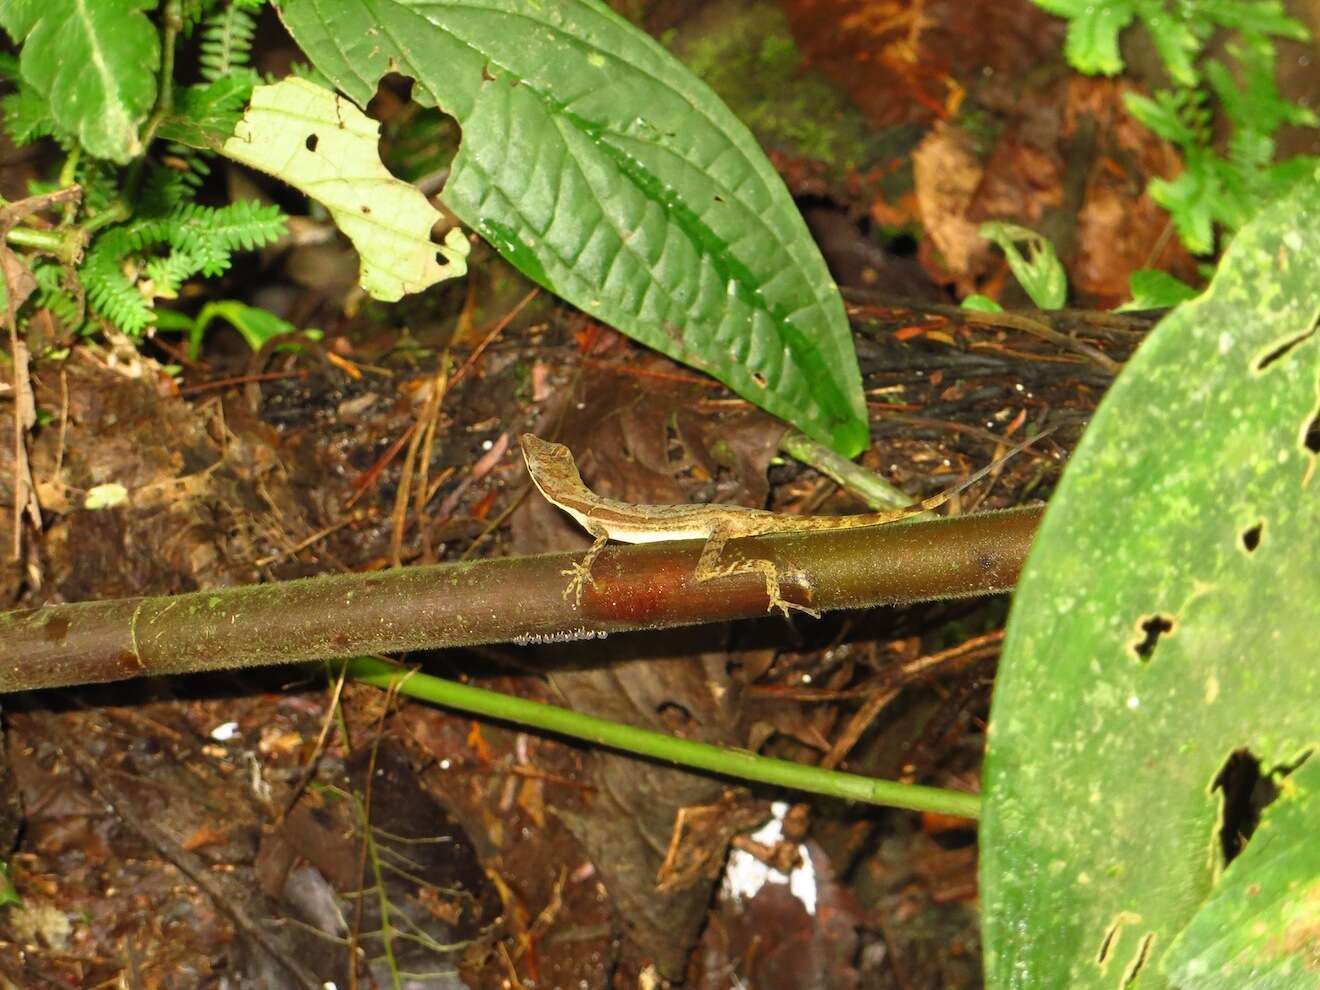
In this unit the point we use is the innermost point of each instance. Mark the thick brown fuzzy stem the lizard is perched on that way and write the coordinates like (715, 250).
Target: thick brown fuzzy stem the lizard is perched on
(511, 600)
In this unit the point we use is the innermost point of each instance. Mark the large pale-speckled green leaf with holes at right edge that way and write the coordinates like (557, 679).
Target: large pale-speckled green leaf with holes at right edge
(1165, 620)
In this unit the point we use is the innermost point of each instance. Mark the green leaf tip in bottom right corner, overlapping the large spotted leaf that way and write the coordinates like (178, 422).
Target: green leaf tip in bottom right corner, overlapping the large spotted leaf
(1261, 927)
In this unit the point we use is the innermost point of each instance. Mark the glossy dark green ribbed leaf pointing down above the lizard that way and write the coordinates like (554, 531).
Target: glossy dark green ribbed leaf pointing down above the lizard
(600, 167)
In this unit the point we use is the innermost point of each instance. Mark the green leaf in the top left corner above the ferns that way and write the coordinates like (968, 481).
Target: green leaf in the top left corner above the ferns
(96, 64)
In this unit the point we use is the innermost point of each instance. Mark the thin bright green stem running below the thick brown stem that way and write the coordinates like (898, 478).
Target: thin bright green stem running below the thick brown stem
(643, 742)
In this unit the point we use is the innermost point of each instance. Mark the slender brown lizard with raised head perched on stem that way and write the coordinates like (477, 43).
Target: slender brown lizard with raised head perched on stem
(556, 476)
